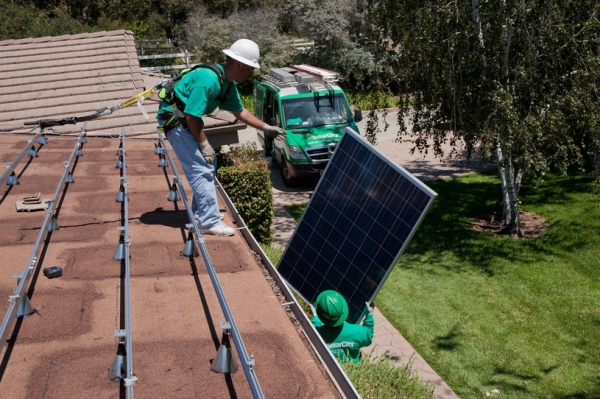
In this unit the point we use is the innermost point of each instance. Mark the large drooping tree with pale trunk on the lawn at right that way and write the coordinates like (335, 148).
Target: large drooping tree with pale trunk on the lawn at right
(518, 80)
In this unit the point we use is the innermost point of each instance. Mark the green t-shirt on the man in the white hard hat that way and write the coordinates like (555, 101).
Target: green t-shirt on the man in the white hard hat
(199, 89)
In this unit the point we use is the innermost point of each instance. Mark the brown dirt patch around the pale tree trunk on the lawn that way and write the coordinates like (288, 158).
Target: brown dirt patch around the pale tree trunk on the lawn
(532, 225)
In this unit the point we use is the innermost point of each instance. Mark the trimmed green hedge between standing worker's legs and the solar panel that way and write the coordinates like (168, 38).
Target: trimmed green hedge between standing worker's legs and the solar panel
(246, 178)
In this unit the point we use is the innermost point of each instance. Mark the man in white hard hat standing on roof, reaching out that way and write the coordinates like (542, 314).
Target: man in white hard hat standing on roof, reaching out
(198, 93)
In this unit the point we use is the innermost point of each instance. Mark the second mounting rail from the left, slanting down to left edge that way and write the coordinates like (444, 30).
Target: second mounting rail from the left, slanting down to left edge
(17, 297)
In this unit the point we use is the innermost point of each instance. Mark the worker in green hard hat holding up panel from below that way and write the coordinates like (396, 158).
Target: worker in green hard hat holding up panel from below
(343, 339)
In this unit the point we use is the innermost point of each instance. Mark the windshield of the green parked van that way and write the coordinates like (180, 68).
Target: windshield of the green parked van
(301, 113)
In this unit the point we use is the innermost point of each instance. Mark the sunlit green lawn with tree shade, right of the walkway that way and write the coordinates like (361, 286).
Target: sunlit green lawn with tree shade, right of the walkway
(490, 312)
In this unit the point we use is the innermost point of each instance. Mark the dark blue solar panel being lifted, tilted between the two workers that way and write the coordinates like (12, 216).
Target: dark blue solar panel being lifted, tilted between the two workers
(360, 218)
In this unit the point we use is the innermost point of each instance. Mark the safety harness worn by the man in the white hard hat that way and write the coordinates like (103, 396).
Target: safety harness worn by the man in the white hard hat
(167, 93)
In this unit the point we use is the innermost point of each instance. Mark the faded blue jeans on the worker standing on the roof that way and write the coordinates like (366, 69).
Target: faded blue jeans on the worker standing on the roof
(199, 174)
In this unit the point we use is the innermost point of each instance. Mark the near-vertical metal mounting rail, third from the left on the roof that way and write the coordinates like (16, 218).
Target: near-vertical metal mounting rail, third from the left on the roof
(130, 379)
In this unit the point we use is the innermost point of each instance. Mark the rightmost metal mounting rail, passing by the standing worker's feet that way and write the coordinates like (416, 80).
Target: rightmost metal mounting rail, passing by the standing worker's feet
(247, 361)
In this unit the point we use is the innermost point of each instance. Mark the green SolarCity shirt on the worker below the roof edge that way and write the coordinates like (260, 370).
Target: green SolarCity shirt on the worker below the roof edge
(346, 340)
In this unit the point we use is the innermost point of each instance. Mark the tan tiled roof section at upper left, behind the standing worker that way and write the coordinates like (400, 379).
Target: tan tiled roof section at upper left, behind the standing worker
(72, 75)
